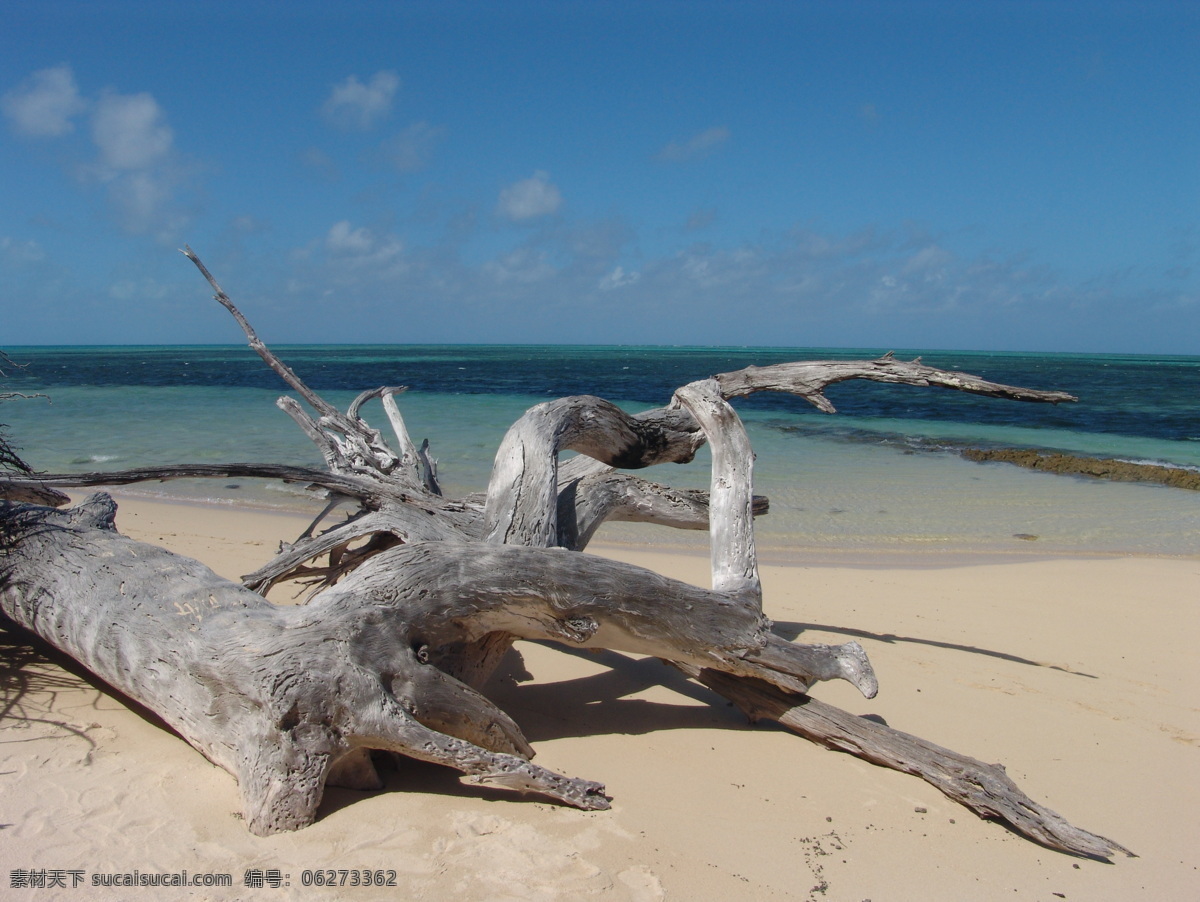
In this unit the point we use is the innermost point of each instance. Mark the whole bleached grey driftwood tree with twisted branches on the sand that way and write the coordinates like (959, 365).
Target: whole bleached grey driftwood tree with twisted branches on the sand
(415, 598)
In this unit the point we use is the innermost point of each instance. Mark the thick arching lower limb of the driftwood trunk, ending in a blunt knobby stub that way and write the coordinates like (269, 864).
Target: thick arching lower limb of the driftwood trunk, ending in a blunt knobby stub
(451, 596)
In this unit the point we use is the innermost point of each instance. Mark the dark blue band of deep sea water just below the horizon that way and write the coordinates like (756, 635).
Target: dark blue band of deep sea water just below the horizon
(1131, 396)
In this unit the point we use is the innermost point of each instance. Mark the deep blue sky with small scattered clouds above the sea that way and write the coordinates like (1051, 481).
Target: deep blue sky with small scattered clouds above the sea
(975, 176)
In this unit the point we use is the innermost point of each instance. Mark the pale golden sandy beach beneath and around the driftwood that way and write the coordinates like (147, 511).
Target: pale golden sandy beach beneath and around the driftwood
(1077, 674)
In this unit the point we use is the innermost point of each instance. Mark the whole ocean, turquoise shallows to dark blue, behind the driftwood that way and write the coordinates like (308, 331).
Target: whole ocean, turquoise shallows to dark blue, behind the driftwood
(885, 474)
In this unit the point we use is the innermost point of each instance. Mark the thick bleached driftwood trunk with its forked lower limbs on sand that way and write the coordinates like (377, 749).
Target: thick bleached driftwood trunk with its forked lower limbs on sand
(278, 696)
